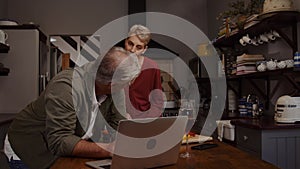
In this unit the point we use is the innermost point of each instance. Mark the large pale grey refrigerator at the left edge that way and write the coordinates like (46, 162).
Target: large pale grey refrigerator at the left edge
(28, 64)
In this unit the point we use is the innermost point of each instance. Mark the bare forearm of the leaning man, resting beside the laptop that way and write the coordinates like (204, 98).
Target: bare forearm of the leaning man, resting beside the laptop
(89, 149)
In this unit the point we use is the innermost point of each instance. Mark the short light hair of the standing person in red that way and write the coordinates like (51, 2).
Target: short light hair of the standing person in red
(142, 32)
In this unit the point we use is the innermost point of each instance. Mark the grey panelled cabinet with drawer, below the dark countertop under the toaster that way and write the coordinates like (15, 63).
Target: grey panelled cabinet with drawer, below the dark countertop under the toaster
(279, 147)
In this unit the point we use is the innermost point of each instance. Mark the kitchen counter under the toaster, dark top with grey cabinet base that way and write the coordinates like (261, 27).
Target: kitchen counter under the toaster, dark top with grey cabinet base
(277, 143)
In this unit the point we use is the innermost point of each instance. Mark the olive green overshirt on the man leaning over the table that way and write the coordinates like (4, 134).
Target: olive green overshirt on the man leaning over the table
(49, 127)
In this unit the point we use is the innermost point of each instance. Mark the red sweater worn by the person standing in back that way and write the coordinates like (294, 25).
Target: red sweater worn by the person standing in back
(141, 103)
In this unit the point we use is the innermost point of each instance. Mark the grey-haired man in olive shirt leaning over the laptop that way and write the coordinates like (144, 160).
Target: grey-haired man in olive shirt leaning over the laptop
(65, 118)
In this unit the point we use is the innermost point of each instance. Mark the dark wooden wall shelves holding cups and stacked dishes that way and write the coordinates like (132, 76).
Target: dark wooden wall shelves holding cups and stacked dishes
(270, 21)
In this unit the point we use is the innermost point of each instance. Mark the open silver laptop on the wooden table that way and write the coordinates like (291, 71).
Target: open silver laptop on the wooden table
(145, 143)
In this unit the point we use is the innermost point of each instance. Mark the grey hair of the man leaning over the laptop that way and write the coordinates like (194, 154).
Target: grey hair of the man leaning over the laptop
(114, 67)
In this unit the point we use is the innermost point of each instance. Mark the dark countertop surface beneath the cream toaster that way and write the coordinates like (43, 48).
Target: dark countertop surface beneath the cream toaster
(264, 123)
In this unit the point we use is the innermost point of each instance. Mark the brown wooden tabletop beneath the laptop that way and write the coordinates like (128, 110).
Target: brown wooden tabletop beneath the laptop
(223, 156)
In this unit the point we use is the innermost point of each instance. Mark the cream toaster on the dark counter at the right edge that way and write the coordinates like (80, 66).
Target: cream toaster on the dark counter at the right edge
(287, 109)
